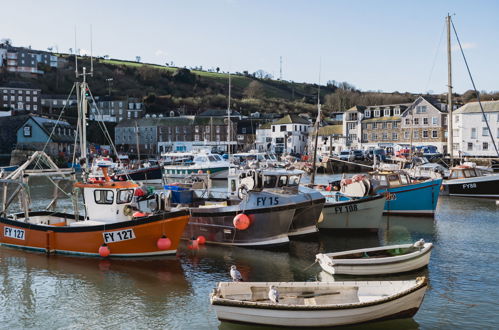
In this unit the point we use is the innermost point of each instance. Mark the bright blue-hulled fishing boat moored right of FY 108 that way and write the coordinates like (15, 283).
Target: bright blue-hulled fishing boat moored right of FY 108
(405, 196)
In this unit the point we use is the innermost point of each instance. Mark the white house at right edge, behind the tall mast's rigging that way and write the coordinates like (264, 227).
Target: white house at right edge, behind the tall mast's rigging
(471, 135)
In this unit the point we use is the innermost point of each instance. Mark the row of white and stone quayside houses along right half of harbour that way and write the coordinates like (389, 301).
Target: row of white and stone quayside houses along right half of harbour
(420, 123)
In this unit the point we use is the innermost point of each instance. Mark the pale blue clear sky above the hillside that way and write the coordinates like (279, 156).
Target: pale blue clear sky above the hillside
(374, 45)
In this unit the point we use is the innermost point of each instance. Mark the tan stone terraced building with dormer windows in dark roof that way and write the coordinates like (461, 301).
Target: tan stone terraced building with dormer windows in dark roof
(381, 125)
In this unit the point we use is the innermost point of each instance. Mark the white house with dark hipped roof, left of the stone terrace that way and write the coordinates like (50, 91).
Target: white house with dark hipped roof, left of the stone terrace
(289, 135)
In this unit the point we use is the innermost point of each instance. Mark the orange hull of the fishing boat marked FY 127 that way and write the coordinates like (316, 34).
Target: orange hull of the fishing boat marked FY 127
(133, 238)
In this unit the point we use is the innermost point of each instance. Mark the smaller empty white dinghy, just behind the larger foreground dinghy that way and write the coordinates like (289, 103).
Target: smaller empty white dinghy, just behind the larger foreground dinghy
(390, 259)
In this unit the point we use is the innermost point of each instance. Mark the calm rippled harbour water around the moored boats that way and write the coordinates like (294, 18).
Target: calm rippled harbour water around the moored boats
(59, 292)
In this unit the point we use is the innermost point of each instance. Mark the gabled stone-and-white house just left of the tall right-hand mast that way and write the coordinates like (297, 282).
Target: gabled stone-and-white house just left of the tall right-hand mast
(424, 122)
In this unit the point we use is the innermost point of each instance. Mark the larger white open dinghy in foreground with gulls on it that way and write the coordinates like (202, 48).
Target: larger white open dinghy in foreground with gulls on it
(317, 304)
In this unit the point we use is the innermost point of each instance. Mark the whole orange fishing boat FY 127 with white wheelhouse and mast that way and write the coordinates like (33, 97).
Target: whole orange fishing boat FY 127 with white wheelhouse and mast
(110, 224)
